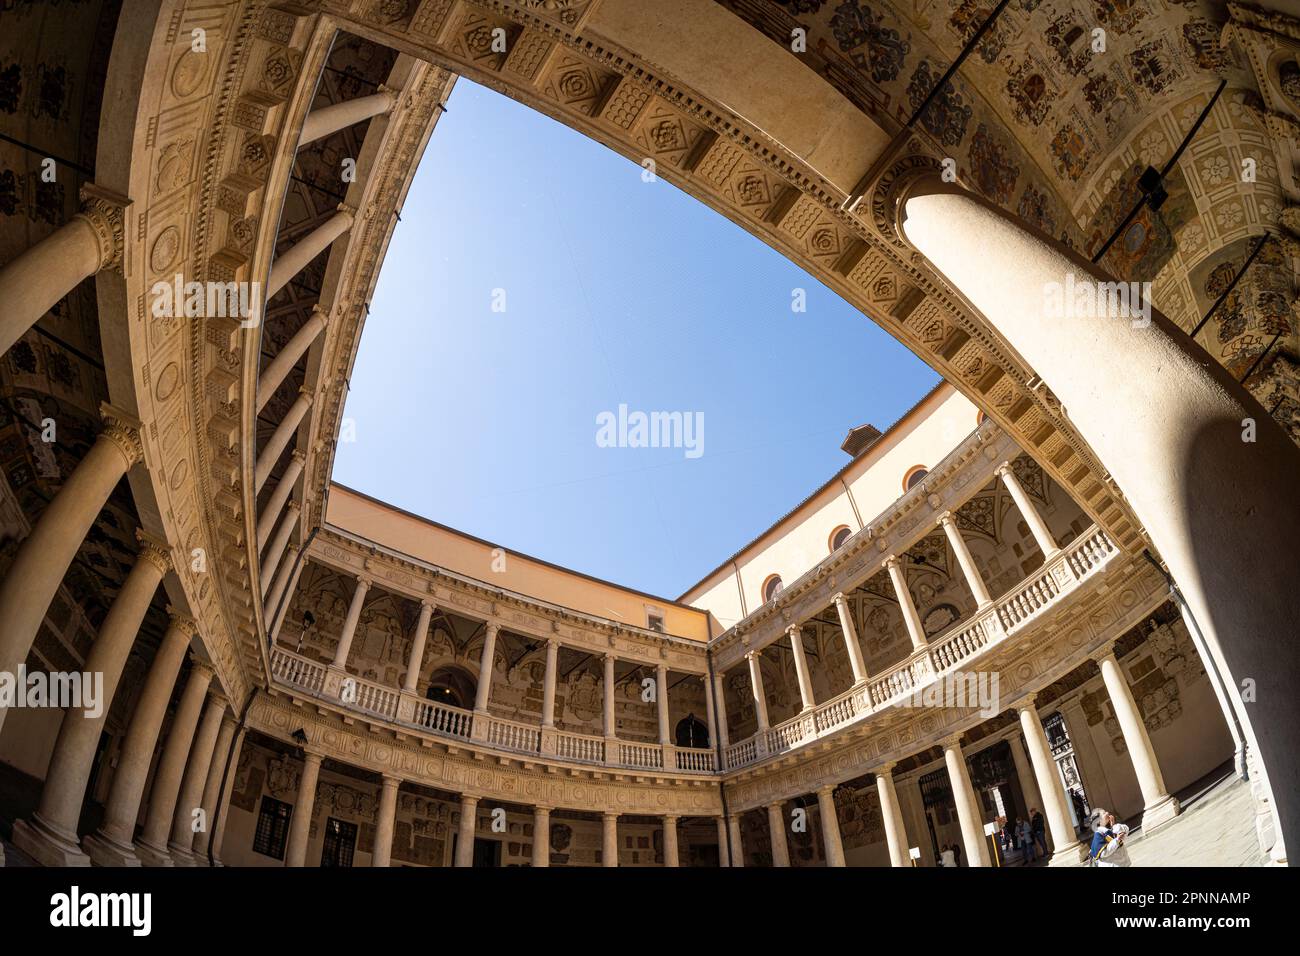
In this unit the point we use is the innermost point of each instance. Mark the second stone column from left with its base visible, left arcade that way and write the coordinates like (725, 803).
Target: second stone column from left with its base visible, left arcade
(112, 843)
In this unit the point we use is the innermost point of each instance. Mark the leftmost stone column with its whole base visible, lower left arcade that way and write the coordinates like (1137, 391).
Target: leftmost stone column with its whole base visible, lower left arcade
(50, 837)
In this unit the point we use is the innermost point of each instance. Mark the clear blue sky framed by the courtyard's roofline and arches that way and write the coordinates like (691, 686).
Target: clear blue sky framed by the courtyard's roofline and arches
(617, 292)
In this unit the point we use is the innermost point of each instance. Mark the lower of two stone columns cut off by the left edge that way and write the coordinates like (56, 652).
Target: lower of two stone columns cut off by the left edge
(44, 559)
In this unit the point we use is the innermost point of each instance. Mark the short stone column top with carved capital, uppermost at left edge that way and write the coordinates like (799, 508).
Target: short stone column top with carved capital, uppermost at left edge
(34, 283)
